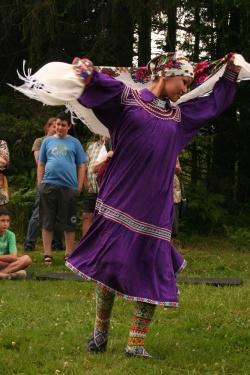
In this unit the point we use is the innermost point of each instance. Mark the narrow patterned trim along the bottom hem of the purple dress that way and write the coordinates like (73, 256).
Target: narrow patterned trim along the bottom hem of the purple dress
(130, 298)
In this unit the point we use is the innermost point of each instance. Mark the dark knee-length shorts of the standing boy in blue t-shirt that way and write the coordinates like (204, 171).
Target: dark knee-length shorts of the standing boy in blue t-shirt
(57, 205)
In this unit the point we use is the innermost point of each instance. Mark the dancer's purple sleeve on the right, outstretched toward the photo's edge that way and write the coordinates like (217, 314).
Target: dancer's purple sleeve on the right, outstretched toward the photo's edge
(197, 111)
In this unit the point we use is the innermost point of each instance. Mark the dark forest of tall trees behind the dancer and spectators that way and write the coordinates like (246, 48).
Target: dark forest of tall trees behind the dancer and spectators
(119, 33)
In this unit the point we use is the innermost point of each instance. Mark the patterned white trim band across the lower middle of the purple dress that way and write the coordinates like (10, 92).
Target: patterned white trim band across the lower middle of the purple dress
(131, 223)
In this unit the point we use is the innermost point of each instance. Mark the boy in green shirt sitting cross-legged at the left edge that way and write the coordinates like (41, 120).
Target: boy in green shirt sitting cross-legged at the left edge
(11, 266)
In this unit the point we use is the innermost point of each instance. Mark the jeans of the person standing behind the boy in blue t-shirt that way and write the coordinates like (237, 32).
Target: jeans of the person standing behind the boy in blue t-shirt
(34, 229)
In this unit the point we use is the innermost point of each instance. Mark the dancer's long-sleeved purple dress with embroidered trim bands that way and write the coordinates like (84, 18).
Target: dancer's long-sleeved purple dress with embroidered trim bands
(127, 249)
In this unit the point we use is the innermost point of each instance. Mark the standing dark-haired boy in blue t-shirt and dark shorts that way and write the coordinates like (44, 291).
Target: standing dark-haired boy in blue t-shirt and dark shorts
(60, 174)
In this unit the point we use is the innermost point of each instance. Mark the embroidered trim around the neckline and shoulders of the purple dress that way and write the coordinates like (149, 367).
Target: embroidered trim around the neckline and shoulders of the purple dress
(132, 97)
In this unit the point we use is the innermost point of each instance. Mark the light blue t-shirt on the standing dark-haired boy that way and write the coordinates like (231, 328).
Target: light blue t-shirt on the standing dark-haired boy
(61, 156)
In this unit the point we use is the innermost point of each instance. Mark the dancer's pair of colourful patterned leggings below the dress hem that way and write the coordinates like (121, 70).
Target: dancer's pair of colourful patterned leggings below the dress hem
(142, 317)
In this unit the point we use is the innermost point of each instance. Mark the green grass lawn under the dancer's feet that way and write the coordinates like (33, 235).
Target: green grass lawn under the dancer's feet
(44, 325)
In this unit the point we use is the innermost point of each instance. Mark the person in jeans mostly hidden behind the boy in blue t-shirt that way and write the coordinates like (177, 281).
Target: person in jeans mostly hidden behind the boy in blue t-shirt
(34, 224)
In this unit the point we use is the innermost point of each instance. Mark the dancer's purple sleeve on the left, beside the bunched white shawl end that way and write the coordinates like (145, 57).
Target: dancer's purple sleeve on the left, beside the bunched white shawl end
(103, 96)
